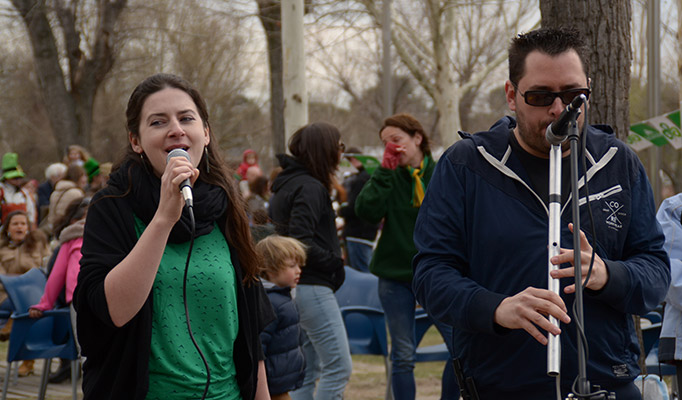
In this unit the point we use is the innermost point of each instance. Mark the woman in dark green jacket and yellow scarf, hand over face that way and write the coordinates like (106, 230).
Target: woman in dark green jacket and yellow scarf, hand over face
(394, 193)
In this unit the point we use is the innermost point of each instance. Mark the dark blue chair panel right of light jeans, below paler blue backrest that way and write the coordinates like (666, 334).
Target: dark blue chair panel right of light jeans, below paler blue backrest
(366, 329)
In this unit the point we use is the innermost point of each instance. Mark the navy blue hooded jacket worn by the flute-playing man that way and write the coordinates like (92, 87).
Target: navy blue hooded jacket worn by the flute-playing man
(482, 236)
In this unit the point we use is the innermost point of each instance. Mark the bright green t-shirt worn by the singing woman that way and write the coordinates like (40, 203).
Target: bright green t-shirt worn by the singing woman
(176, 370)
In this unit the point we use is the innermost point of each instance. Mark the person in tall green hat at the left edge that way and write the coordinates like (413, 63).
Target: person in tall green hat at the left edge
(12, 196)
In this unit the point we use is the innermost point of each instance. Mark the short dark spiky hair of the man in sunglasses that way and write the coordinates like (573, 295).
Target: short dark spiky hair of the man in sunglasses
(551, 41)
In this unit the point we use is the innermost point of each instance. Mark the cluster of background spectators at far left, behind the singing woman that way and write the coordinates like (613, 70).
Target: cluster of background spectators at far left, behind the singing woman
(42, 227)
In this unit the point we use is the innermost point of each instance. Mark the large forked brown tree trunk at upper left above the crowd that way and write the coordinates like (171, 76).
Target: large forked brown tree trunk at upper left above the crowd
(70, 106)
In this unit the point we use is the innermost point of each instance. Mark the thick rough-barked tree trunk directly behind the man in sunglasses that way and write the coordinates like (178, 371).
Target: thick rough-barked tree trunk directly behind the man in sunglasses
(605, 25)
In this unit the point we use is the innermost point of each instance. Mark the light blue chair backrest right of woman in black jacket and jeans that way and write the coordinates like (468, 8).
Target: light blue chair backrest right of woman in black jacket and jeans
(359, 289)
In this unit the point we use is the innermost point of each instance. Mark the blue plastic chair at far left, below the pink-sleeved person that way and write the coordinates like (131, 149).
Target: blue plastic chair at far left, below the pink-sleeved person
(43, 338)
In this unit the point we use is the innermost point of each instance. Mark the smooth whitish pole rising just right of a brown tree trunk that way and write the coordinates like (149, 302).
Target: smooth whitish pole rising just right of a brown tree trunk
(295, 94)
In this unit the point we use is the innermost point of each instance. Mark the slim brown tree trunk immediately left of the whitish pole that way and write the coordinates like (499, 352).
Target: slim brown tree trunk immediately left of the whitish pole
(269, 13)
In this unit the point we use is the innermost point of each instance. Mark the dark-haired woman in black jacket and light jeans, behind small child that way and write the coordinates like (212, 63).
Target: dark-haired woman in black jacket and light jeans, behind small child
(301, 207)
